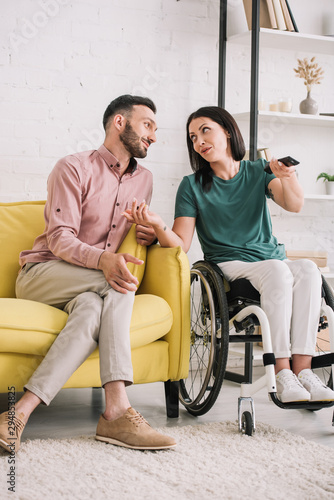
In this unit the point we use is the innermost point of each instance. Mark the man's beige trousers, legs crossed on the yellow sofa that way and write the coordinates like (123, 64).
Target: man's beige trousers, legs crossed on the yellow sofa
(98, 315)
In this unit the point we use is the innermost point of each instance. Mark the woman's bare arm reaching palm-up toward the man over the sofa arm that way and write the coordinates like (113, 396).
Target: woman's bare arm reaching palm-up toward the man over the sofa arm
(180, 235)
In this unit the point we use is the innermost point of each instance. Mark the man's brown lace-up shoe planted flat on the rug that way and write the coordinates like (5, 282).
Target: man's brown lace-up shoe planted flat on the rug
(132, 431)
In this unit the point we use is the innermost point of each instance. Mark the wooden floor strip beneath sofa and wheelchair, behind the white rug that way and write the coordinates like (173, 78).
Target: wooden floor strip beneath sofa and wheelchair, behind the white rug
(75, 412)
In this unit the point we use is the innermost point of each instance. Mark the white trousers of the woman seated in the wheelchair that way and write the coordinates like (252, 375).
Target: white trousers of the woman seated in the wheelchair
(291, 298)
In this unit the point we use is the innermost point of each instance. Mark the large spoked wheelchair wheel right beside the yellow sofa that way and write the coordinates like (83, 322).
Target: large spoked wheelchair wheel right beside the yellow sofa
(209, 340)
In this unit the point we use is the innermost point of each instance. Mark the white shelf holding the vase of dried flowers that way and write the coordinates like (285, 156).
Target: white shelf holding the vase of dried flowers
(298, 119)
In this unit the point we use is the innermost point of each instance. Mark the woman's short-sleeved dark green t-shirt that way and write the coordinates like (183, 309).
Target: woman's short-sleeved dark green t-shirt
(232, 219)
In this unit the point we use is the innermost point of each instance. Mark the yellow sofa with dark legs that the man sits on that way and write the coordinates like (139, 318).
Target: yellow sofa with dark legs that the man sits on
(160, 324)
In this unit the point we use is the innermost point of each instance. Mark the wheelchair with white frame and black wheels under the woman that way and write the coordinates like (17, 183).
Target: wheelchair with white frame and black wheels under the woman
(225, 312)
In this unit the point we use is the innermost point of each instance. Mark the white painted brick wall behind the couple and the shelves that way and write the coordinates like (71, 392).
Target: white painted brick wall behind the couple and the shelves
(62, 61)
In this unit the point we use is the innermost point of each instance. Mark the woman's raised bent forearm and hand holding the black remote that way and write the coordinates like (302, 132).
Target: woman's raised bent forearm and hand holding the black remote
(285, 190)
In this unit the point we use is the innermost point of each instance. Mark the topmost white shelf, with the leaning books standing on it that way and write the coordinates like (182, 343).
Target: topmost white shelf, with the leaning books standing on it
(288, 40)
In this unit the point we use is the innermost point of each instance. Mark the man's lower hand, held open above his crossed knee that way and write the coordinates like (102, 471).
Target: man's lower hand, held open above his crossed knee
(116, 272)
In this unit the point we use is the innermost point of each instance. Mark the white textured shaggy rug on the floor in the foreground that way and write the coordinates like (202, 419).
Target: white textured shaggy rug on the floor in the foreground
(211, 461)
